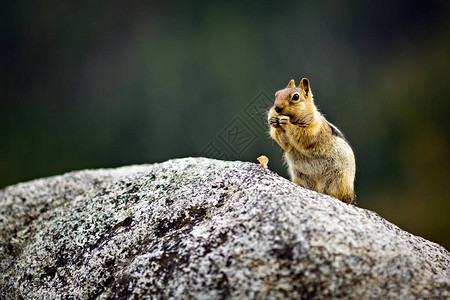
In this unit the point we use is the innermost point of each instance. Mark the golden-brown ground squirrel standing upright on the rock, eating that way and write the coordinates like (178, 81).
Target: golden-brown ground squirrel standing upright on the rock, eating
(319, 157)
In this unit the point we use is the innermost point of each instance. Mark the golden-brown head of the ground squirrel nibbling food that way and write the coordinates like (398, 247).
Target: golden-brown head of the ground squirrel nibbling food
(296, 102)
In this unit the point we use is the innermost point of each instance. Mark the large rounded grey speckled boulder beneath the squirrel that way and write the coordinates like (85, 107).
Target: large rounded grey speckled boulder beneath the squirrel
(203, 229)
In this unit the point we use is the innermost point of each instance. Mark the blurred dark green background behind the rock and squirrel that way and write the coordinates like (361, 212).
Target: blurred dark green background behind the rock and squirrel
(92, 84)
